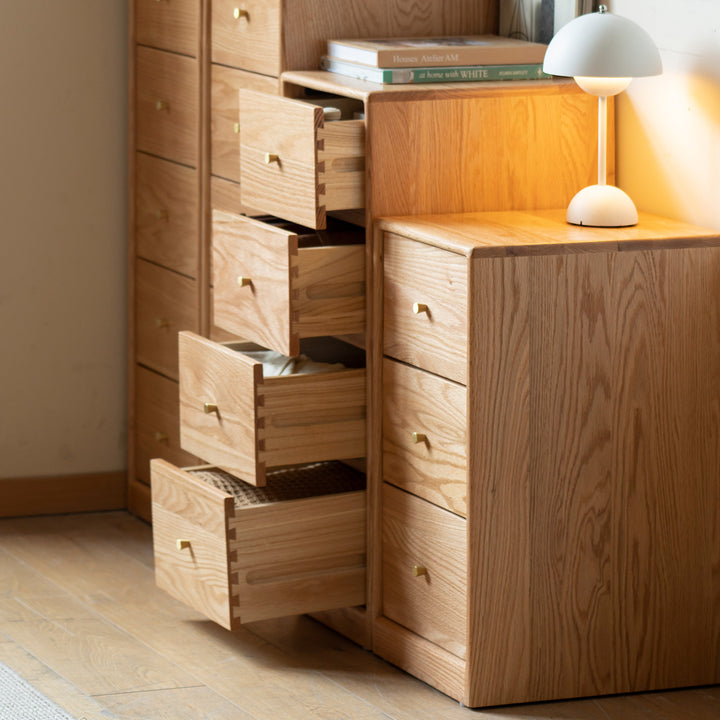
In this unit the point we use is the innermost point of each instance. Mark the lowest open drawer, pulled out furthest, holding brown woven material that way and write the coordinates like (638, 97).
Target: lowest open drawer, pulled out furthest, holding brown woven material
(238, 554)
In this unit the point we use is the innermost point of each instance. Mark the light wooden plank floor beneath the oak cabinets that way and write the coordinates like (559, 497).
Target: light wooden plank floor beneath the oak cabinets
(80, 619)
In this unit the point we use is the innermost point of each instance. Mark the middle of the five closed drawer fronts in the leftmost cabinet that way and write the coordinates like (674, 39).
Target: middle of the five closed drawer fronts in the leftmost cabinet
(166, 214)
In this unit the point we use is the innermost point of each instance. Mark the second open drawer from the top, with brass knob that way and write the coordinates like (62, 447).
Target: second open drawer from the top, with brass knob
(277, 282)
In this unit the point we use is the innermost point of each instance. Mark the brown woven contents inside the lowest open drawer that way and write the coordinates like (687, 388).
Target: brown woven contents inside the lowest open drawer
(287, 484)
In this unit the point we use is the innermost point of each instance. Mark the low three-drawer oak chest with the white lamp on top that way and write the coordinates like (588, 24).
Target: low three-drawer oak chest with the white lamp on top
(590, 367)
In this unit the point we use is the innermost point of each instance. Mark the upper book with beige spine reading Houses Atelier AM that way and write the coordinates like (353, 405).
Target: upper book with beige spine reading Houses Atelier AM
(438, 51)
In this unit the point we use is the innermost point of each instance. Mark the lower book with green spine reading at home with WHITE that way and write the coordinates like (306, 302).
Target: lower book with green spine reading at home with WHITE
(460, 73)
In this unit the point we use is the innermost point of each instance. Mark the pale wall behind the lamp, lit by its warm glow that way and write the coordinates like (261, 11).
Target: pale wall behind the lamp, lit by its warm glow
(668, 127)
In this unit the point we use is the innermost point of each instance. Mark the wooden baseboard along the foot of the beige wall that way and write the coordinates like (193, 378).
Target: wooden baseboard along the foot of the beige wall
(54, 495)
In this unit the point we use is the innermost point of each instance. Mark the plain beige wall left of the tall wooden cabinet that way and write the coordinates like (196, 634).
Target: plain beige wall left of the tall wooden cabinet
(63, 236)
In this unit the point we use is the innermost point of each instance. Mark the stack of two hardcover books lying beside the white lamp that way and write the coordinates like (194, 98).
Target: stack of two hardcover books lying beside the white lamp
(467, 58)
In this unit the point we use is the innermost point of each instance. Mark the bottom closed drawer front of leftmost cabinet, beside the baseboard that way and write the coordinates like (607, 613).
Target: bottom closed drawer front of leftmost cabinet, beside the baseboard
(157, 422)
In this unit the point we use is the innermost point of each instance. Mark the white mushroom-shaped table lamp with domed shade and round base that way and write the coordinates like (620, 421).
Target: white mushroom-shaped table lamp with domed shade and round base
(603, 52)
